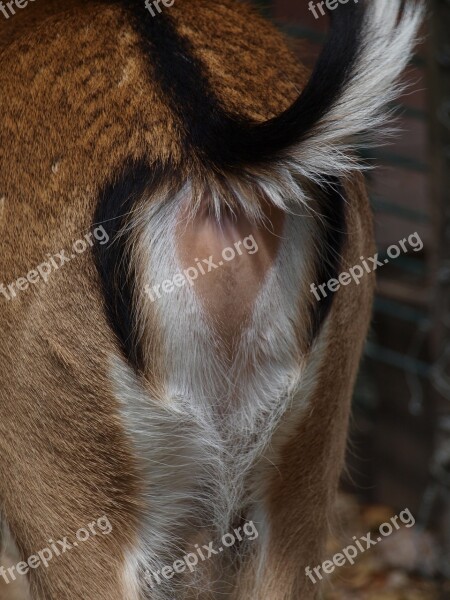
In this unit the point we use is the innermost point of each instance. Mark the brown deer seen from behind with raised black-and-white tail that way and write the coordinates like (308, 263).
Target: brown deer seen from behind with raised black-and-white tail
(148, 143)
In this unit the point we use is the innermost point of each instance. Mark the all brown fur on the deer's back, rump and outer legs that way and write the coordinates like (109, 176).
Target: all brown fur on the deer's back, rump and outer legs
(76, 102)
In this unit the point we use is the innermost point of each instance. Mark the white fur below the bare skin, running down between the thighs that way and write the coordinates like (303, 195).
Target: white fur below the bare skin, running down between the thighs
(201, 442)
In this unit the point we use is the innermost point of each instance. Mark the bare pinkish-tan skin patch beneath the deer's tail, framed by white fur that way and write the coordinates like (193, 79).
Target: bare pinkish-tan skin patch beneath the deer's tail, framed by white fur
(242, 253)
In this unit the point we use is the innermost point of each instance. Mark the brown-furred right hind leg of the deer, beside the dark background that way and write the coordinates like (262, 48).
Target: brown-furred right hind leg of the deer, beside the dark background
(301, 474)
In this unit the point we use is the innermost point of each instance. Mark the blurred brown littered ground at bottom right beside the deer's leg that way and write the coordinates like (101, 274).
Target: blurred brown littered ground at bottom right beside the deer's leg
(402, 566)
